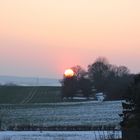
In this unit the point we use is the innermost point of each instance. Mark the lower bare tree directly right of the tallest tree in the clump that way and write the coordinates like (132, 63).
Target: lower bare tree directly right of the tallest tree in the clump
(118, 81)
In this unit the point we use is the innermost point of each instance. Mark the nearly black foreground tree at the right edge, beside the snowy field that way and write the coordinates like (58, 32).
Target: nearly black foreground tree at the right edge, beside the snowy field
(131, 111)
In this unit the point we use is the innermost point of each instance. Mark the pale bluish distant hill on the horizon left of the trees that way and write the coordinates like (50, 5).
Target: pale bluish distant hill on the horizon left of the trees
(28, 81)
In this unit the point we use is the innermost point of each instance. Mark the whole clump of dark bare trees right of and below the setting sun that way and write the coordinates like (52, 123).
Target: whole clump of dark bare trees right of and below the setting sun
(101, 76)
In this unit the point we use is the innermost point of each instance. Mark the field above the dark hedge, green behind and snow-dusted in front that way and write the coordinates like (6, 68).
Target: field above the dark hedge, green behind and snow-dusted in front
(42, 106)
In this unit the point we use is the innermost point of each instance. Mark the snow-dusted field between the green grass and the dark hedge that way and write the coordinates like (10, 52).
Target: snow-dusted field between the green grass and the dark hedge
(63, 114)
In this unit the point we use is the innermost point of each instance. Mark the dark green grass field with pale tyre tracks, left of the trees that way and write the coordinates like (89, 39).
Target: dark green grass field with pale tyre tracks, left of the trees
(20, 94)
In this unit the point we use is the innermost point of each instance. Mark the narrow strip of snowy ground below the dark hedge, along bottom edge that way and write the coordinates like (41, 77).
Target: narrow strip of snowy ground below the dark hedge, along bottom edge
(60, 135)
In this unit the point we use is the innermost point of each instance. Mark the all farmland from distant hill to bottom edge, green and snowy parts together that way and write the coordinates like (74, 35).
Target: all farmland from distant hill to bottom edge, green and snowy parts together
(41, 108)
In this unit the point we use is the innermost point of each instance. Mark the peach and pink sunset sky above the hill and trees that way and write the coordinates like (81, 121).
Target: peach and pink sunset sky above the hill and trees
(42, 38)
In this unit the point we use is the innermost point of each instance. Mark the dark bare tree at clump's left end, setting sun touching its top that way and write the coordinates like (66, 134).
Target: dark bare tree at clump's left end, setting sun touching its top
(78, 82)
